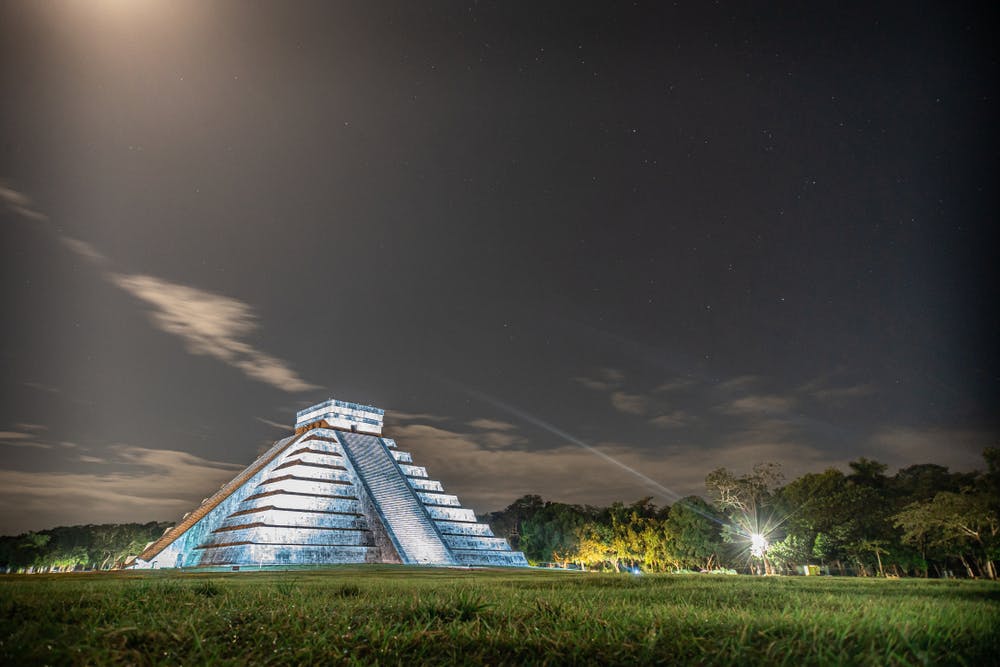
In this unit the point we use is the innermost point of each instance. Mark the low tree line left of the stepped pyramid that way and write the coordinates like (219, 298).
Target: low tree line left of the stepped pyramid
(67, 548)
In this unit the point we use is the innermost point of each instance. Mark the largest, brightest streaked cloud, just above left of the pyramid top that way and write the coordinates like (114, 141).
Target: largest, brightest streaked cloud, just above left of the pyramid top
(210, 325)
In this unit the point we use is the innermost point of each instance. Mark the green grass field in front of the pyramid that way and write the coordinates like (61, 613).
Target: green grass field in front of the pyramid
(394, 615)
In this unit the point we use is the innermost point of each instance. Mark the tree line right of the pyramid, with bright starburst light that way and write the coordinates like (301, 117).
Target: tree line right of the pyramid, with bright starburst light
(922, 521)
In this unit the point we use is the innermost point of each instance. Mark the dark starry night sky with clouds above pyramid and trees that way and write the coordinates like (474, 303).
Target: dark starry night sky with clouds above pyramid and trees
(687, 237)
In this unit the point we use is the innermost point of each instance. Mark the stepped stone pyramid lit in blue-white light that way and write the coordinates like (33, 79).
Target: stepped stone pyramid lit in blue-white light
(335, 492)
